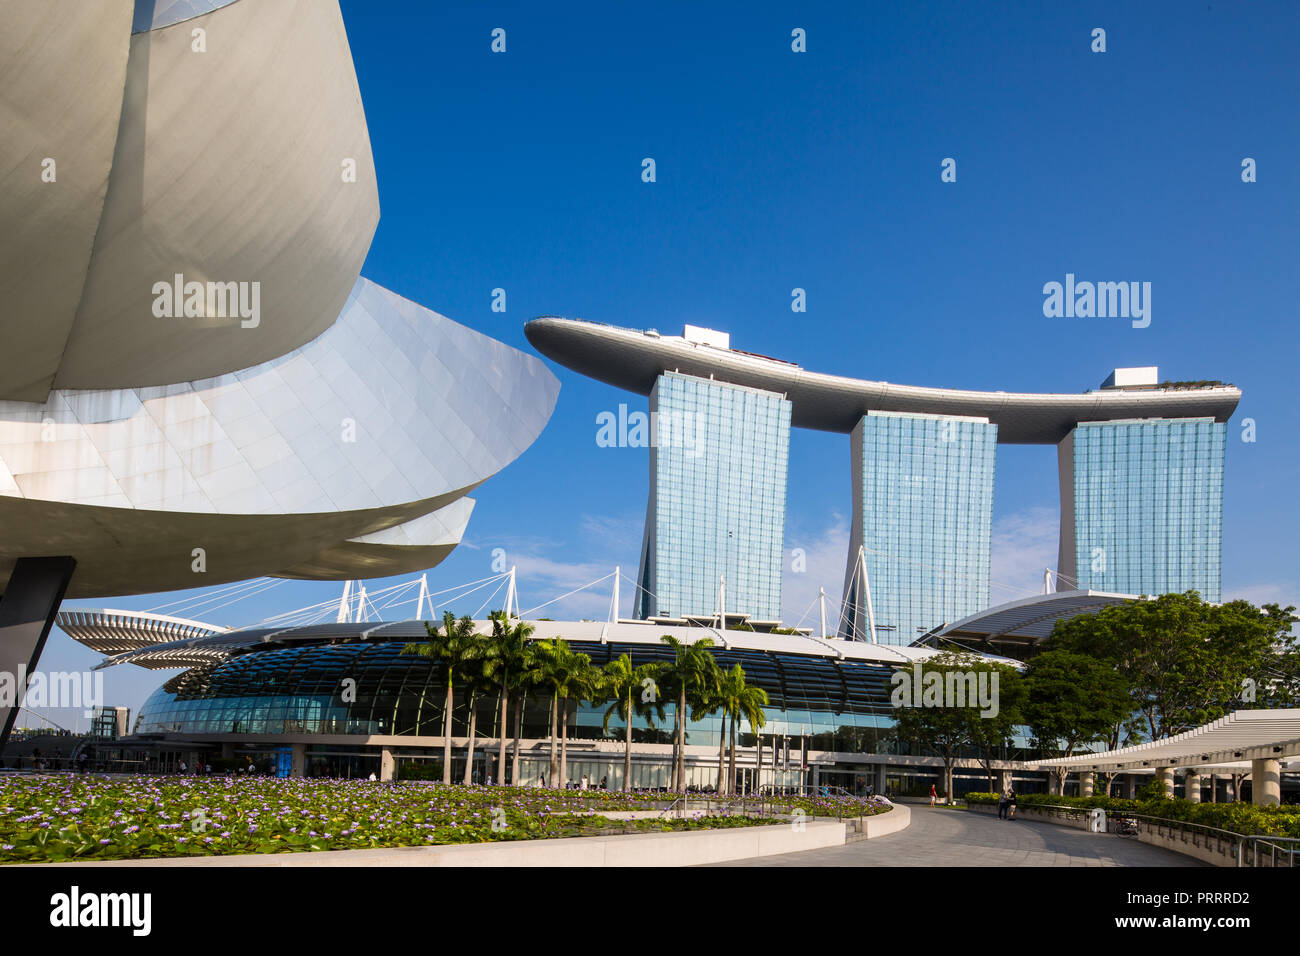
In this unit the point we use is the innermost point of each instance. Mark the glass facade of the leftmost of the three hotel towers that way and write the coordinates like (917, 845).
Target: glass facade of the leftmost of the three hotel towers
(718, 468)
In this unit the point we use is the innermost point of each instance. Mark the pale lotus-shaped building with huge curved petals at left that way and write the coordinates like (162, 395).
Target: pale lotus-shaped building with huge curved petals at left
(196, 383)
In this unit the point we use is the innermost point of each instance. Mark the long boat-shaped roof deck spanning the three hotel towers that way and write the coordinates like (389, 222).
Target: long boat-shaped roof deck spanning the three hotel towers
(634, 360)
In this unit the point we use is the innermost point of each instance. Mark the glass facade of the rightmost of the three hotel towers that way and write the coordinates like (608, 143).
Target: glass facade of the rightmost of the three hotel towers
(1143, 507)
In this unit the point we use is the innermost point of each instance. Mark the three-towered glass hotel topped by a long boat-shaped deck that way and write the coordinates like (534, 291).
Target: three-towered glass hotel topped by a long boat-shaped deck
(1141, 471)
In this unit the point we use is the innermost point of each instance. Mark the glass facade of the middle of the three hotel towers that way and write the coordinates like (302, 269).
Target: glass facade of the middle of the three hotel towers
(924, 514)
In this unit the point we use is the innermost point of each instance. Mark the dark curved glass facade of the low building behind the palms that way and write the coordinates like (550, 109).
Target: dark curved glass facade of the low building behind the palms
(838, 706)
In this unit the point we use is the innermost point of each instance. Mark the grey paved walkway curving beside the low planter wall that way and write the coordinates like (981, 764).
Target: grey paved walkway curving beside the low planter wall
(957, 838)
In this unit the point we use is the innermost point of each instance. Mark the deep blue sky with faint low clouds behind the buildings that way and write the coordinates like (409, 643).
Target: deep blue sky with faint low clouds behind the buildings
(822, 171)
